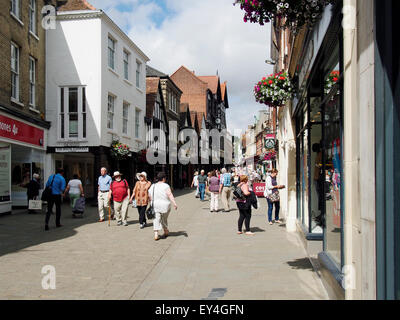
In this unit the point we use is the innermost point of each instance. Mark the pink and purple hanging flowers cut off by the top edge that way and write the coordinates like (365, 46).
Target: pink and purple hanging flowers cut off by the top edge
(296, 12)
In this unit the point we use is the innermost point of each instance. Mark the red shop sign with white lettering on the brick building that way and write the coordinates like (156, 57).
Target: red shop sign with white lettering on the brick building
(19, 131)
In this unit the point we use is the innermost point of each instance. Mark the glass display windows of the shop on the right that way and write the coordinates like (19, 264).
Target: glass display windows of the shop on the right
(319, 127)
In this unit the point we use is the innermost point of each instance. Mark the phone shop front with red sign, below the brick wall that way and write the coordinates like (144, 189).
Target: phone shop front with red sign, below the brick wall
(22, 154)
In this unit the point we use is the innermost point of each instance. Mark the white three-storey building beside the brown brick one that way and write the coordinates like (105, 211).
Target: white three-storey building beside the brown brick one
(96, 93)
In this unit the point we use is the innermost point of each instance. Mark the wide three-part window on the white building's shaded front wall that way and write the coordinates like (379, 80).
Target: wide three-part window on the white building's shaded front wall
(72, 113)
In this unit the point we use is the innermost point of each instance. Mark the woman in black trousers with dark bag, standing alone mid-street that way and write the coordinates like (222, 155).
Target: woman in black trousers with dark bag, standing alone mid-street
(244, 206)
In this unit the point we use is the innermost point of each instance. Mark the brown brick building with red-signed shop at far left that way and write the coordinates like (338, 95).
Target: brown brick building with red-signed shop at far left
(23, 122)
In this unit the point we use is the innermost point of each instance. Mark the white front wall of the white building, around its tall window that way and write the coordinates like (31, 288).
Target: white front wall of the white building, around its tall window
(72, 59)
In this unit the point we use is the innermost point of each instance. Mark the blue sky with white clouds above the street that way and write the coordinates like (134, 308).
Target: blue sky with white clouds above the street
(206, 36)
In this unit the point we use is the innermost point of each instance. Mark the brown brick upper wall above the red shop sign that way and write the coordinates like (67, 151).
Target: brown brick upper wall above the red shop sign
(11, 30)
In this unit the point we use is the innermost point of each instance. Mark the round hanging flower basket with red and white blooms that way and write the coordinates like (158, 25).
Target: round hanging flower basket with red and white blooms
(274, 90)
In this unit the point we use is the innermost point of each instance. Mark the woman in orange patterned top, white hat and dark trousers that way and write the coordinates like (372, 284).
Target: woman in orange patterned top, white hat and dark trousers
(140, 195)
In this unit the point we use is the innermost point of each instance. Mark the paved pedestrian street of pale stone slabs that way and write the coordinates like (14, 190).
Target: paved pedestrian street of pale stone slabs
(203, 258)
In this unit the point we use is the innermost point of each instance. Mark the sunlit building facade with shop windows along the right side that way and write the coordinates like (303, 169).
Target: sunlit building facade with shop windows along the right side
(338, 151)
